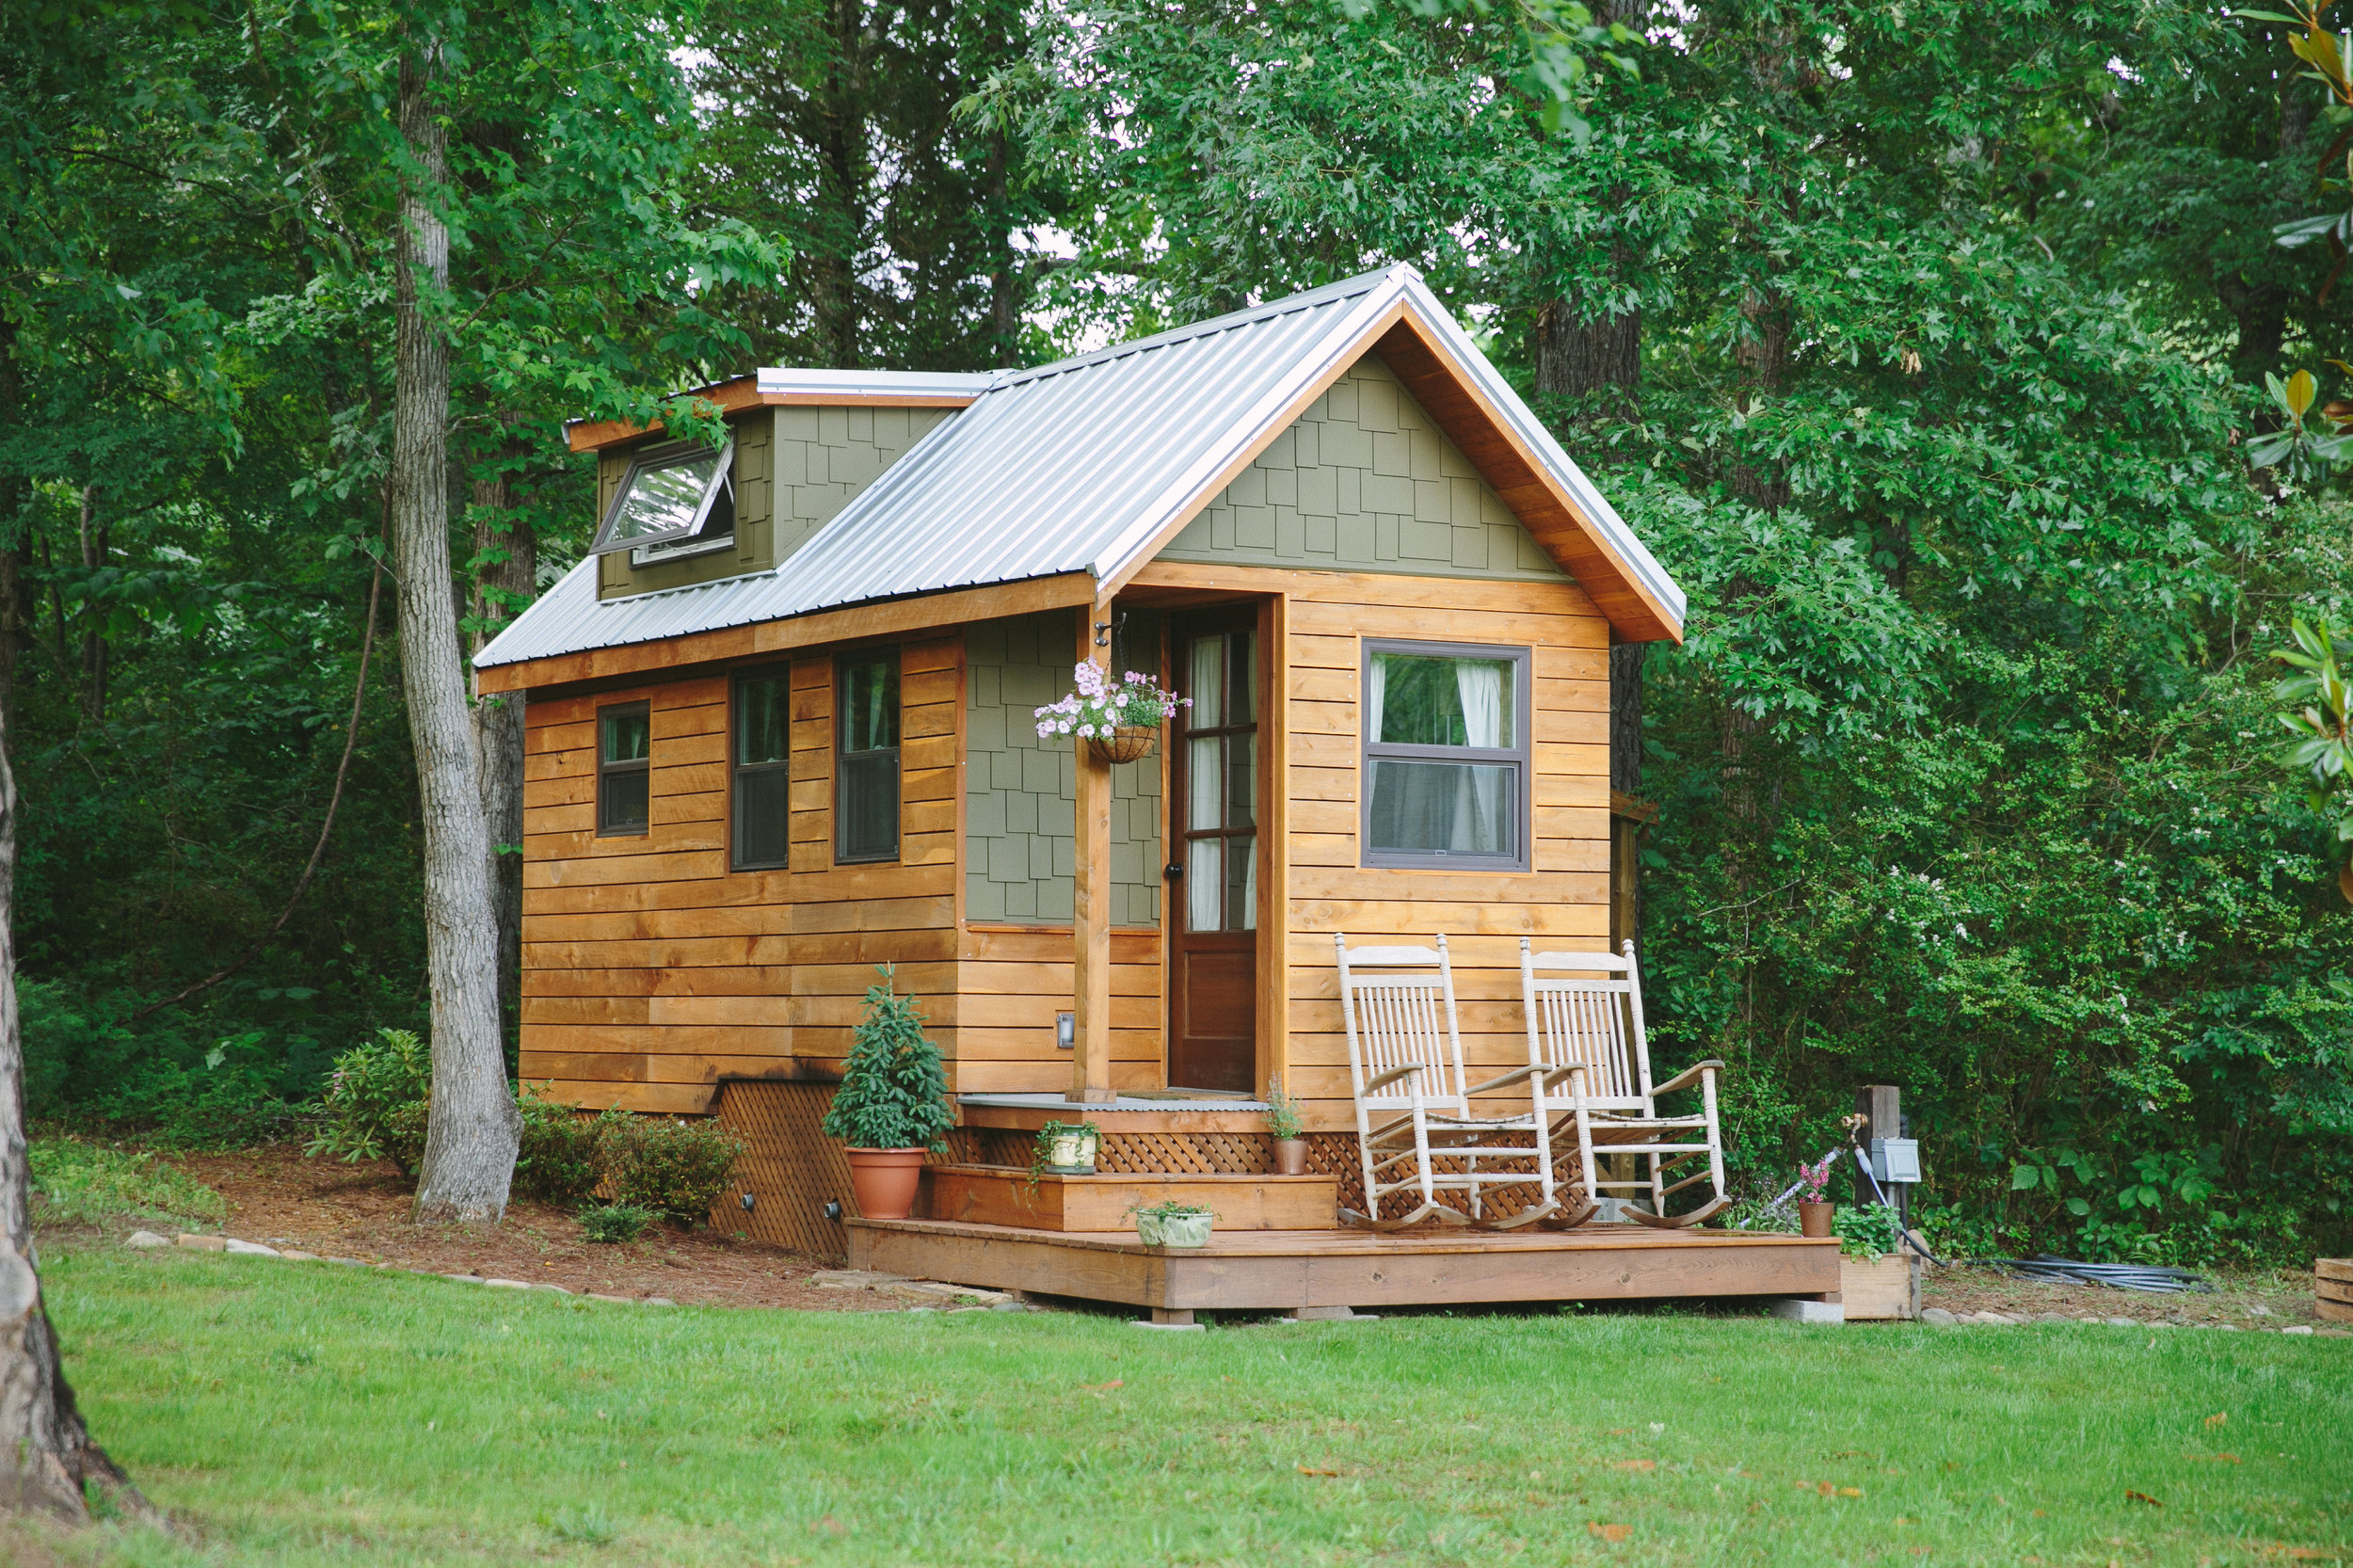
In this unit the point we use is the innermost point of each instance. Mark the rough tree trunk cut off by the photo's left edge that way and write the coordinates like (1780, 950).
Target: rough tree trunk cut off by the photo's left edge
(48, 1461)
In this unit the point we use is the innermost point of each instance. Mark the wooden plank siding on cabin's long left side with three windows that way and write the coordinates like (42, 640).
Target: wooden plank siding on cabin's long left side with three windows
(651, 969)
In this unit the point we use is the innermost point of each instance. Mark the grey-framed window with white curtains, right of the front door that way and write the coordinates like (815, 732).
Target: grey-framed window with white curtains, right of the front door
(1446, 757)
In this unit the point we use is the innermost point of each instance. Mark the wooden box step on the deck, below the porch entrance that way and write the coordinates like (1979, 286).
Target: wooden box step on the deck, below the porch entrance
(1004, 1195)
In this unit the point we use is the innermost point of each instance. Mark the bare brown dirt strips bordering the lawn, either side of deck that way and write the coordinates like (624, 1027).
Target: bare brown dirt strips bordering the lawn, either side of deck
(361, 1211)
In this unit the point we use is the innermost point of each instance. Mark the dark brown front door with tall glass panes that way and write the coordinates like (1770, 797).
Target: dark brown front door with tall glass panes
(1215, 865)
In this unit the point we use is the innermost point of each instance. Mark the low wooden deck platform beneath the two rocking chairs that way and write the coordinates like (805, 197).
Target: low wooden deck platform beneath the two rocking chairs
(1338, 1270)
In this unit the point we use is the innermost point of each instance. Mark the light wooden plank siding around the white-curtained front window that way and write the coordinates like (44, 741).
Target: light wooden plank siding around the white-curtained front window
(1566, 896)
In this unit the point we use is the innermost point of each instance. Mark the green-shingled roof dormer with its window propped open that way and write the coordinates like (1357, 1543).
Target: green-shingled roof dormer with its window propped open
(804, 444)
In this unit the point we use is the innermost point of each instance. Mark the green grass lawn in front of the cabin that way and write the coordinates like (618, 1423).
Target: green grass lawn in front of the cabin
(305, 1414)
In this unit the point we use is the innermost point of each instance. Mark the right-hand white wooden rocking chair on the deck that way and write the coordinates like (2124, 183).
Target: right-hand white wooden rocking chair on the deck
(1585, 1025)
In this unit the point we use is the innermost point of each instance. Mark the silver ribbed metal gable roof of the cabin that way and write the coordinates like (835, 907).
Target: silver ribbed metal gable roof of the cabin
(1069, 467)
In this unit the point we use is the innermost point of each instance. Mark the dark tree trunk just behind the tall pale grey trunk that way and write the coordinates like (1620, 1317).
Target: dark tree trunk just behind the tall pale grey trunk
(498, 722)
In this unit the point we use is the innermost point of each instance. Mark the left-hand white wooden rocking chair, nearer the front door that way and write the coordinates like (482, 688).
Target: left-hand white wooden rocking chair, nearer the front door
(1406, 1065)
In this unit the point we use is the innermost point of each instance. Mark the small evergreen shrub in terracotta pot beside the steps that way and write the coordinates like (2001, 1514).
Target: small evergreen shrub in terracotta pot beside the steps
(893, 1103)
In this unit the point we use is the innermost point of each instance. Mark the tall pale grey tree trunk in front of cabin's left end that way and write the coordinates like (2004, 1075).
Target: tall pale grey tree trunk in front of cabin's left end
(472, 1131)
